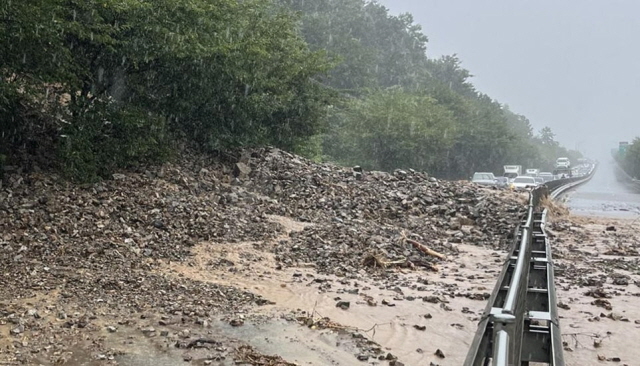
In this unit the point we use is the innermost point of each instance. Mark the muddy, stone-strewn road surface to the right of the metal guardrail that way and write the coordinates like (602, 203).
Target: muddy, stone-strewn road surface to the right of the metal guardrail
(598, 288)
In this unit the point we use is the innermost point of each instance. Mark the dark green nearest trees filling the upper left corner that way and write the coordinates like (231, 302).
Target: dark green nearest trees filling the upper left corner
(110, 83)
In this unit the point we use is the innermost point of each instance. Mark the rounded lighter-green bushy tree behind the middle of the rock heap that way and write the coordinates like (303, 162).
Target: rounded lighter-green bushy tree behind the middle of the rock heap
(392, 129)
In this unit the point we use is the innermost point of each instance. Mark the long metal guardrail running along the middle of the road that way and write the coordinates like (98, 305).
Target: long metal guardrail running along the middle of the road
(520, 323)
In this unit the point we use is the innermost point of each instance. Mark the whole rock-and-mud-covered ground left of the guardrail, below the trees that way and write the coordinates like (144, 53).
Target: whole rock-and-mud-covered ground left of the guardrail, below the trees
(264, 258)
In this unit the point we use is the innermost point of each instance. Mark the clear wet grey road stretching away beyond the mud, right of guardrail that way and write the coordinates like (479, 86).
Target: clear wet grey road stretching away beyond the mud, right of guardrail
(604, 196)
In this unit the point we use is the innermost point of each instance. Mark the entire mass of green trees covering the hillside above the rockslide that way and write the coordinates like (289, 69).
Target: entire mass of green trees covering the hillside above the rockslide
(106, 84)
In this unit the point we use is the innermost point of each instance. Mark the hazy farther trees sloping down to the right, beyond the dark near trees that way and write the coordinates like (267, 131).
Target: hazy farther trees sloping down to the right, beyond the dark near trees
(406, 110)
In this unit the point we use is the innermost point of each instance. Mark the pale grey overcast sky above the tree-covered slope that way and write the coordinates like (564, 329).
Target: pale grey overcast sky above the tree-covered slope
(572, 65)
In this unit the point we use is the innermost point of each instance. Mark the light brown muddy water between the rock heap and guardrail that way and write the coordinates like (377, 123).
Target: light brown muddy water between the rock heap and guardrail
(450, 328)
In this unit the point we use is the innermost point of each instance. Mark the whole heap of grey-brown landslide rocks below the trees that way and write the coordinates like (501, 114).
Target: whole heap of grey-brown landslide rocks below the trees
(105, 245)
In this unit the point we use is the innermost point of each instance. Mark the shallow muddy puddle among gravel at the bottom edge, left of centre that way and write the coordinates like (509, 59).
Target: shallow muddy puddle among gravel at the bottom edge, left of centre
(291, 341)
